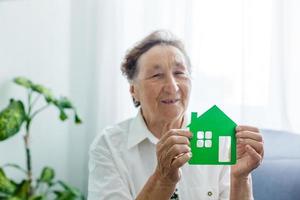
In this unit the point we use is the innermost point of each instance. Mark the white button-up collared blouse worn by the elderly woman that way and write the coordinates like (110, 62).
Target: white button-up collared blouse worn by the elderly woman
(123, 157)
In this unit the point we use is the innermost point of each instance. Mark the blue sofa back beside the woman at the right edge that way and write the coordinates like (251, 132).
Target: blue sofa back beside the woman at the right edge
(278, 177)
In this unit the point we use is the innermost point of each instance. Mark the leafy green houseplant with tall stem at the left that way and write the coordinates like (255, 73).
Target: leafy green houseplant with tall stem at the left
(12, 119)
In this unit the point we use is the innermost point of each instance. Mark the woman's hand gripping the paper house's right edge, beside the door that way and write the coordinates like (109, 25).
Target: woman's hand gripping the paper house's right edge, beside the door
(250, 151)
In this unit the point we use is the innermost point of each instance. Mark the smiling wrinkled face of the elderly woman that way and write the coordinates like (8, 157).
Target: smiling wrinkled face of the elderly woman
(162, 84)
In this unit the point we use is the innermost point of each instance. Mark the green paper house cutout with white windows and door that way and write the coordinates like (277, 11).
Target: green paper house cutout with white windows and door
(213, 141)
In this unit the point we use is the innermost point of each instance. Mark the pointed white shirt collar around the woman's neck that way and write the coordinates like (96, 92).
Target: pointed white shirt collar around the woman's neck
(138, 131)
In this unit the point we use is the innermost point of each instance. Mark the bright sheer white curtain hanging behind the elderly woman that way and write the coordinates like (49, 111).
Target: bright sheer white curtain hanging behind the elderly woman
(245, 55)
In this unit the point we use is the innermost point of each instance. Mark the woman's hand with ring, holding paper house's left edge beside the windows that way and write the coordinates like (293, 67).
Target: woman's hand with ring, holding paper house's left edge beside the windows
(172, 151)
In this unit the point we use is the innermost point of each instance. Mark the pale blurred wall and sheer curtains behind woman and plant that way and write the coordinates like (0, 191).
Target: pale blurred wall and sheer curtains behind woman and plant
(245, 56)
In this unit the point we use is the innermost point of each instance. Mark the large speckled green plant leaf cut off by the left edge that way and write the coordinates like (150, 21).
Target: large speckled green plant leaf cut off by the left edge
(11, 119)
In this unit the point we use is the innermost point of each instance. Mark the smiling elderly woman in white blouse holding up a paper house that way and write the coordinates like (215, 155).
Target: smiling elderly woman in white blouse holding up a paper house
(146, 157)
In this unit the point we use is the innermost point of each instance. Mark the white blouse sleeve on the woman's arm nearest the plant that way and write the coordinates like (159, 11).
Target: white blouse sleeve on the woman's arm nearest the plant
(105, 181)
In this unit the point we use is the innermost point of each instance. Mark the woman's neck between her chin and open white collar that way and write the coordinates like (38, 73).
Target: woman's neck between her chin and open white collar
(159, 127)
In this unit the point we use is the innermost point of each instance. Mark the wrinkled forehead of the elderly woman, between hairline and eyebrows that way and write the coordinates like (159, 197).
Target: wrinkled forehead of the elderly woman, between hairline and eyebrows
(161, 55)
